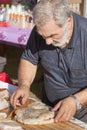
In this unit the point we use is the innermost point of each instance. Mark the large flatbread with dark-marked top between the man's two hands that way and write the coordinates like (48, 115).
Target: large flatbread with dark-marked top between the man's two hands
(38, 113)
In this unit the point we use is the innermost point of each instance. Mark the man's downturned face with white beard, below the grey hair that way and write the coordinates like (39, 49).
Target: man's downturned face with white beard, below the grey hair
(53, 34)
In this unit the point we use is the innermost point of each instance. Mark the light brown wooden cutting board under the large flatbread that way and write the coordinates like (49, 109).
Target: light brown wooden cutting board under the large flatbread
(54, 126)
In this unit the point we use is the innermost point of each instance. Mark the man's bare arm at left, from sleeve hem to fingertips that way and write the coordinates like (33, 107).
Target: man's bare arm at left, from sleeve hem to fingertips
(26, 75)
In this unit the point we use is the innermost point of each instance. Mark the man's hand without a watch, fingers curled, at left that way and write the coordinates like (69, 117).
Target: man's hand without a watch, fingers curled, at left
(19, 97)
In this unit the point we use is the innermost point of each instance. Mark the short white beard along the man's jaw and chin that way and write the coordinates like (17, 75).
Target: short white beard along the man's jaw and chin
(63, 40)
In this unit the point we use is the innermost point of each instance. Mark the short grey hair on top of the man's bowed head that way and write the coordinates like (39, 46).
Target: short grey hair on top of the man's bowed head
(51, 9)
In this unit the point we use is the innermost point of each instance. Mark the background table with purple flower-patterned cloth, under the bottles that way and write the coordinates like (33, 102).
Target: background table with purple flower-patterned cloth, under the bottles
(14, 36)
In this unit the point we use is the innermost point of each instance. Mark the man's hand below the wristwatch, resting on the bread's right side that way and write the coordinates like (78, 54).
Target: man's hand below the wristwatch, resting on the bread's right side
(65, 109)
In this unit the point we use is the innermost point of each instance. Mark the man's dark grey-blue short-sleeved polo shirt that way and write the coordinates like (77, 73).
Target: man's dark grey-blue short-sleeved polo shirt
(65, 70)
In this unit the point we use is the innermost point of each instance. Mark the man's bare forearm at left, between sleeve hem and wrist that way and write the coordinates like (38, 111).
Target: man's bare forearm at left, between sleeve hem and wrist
(26, 73)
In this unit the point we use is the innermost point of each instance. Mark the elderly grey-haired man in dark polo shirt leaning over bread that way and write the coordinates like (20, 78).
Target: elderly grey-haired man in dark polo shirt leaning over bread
(59, 42)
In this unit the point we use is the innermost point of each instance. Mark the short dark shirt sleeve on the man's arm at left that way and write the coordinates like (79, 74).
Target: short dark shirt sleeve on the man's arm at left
(32, 48)
